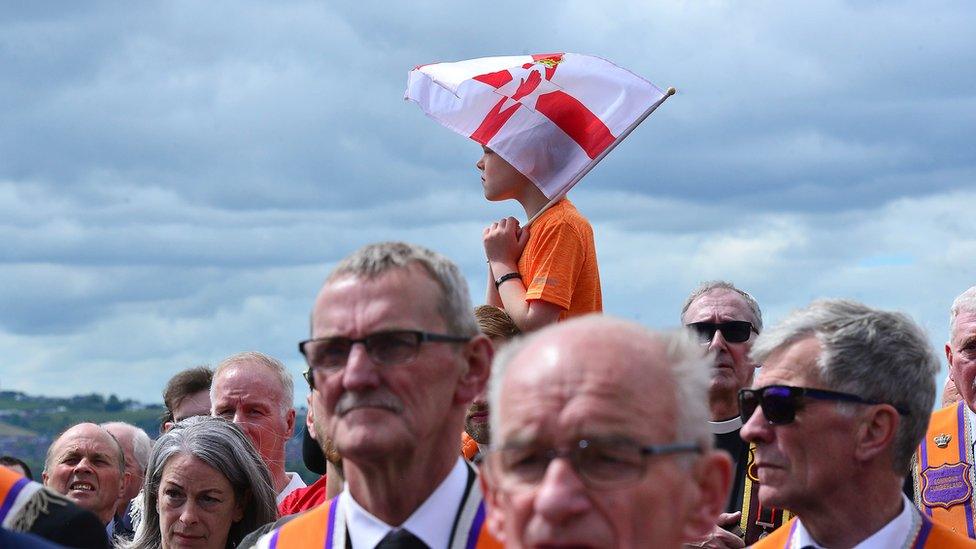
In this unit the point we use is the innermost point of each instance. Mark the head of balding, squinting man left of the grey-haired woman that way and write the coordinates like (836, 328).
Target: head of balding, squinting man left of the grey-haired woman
(86, 464)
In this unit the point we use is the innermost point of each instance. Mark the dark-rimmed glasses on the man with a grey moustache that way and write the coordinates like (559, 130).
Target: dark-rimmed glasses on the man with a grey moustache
(325, 355)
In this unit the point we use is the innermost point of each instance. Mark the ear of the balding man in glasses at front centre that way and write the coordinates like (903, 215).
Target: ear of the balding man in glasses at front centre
(713, 474)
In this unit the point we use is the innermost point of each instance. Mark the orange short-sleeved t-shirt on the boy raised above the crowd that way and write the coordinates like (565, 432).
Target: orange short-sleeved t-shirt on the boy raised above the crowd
(558, 264)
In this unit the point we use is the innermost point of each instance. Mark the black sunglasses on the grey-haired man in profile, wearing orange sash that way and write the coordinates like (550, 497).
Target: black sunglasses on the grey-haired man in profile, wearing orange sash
(780, 402)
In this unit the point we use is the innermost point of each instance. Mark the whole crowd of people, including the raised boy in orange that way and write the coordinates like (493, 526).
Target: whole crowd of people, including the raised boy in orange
(534, 421)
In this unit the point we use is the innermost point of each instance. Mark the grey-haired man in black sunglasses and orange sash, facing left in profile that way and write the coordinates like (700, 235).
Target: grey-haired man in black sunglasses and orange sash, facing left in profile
(840, 405)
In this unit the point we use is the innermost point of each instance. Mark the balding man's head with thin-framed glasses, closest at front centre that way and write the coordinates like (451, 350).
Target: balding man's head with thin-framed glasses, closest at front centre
(600, 440)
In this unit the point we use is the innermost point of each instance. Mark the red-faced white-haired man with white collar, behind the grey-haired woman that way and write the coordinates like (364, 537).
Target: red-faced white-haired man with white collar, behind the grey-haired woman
(255, 391)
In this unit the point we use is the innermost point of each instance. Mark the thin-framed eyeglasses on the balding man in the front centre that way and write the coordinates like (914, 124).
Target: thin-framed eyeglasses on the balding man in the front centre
(600, 464)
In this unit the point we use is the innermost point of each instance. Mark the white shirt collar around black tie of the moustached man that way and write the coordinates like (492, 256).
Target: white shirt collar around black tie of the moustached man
(427, 522)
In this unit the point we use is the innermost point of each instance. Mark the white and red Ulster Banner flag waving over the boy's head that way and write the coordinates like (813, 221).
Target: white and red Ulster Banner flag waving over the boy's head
(551, 116)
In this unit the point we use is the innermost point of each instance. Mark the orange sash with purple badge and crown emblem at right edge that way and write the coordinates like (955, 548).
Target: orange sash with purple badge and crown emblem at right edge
(943, 470)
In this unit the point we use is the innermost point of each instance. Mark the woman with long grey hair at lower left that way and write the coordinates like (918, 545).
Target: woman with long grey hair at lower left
(205, 487)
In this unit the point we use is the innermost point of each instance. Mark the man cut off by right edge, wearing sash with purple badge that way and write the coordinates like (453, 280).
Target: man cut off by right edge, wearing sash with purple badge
(943, 466)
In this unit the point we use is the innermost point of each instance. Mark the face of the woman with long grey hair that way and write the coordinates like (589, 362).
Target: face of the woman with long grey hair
(196, 504)
